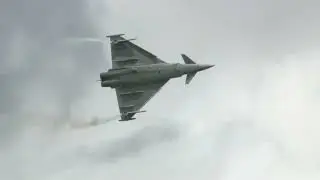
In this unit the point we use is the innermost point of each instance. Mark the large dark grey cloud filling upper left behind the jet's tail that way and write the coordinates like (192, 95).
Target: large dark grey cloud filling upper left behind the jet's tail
(44, 63)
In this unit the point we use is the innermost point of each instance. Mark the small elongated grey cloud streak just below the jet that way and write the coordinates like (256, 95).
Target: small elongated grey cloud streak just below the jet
(133, 145)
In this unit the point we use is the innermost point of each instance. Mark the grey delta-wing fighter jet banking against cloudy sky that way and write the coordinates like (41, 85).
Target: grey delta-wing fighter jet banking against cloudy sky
(137, 75)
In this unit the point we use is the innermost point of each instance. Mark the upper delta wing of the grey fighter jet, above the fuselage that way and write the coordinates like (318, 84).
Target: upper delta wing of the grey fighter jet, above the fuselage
(124, 53)
